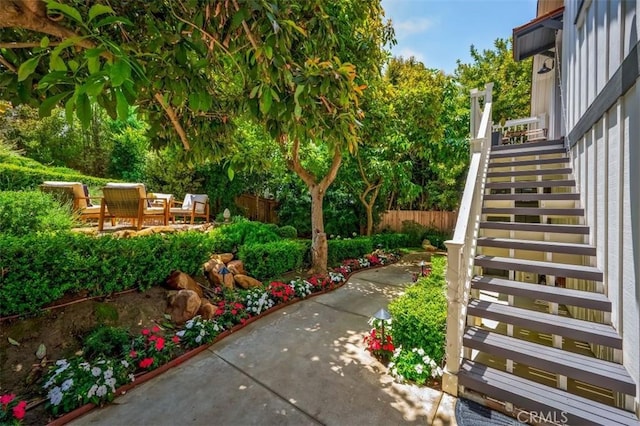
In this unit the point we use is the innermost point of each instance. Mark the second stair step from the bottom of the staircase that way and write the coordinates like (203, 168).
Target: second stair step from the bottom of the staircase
(580, 367)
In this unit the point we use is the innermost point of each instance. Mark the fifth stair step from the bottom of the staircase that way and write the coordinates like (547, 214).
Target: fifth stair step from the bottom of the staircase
(539, 267)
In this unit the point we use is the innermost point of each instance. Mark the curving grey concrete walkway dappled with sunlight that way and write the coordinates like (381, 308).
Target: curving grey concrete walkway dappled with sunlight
(304, 364)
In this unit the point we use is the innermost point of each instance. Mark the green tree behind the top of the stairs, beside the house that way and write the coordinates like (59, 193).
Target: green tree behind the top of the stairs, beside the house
(512, 80)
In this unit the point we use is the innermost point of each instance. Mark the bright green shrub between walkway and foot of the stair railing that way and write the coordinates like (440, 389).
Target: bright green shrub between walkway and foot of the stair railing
(420, 315)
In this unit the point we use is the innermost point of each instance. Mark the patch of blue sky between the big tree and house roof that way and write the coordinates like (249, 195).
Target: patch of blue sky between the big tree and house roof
(438, 32)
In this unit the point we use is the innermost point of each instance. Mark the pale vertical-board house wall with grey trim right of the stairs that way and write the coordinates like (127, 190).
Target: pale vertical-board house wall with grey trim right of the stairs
(602, 125)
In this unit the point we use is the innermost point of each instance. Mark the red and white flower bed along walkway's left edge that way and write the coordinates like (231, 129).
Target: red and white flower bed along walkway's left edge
(76, 385)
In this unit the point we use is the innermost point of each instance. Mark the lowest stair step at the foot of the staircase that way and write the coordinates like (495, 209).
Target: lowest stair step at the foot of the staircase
(541, 399)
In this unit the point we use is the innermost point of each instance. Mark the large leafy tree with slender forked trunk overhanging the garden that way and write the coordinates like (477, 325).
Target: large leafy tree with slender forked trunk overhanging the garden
(192, 66)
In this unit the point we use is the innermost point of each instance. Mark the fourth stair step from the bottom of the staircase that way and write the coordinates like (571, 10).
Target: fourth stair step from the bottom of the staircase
(564, 296)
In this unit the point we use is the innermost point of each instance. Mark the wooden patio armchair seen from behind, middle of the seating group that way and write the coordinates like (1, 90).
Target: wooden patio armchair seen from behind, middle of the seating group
(130, 201)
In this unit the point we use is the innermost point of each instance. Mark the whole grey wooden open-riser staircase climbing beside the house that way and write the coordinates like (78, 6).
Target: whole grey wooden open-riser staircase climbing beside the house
(522, 347)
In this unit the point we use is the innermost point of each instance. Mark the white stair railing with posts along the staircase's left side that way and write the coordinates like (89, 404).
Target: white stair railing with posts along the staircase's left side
(461, 249)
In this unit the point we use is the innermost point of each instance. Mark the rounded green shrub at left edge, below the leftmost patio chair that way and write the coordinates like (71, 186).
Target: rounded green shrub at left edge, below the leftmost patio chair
(27, 212)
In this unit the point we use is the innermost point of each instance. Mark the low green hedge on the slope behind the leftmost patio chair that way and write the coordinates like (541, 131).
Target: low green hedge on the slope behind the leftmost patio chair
(15, 177)
